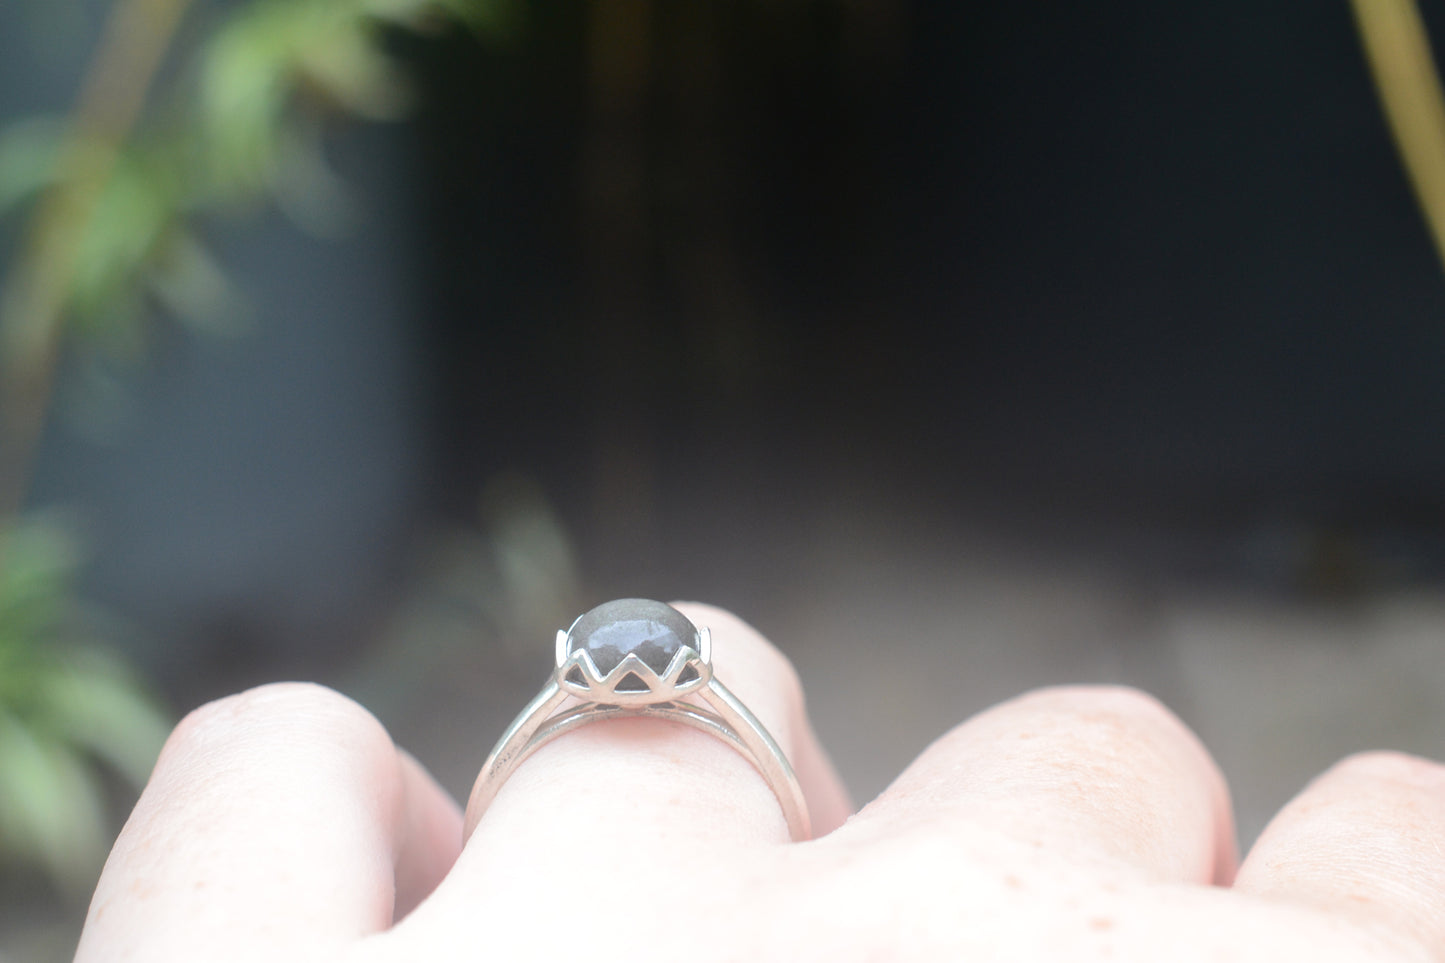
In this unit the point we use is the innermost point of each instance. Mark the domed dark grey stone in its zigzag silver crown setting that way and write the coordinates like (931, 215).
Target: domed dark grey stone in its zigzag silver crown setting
(632, 651)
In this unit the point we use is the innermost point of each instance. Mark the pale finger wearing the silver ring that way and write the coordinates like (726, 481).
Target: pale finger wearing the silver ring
(661, 784)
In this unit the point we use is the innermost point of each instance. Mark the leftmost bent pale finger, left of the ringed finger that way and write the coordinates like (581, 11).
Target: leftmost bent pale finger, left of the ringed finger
(281, 821)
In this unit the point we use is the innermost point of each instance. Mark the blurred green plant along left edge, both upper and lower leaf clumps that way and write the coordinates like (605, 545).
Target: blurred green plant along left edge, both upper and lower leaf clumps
(112, 197)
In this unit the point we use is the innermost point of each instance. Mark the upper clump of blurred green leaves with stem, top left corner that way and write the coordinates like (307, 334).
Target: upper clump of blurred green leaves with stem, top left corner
(115, 192)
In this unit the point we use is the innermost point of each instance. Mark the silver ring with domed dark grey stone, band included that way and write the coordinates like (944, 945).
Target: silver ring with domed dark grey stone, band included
(637, 657)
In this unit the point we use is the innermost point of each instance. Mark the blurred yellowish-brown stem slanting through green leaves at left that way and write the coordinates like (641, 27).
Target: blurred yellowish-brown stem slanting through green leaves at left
(35, 291)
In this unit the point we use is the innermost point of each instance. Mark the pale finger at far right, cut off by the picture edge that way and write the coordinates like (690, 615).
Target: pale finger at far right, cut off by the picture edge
(1366, 841)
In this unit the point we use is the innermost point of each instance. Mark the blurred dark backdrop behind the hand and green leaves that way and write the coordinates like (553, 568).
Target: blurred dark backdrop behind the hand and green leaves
(960, 348)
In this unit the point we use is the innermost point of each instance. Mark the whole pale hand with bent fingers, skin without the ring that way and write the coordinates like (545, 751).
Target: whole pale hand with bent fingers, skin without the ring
(282, 825)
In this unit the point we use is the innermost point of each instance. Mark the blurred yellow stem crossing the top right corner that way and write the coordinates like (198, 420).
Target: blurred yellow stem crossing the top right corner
(1399, 51)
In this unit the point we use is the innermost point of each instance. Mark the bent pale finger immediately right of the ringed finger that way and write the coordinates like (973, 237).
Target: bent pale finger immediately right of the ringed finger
(1099, 776)
